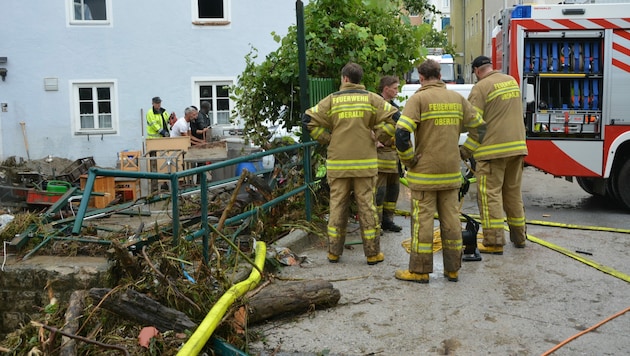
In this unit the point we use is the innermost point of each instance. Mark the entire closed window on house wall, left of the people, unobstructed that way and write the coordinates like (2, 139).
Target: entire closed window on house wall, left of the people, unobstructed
(93, 108)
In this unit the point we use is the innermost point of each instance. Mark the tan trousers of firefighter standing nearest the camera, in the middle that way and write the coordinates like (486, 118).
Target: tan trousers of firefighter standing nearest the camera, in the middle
(423, 207)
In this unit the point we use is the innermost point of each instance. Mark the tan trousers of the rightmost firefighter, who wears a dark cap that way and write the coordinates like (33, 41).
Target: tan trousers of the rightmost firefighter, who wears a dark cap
(498, 190)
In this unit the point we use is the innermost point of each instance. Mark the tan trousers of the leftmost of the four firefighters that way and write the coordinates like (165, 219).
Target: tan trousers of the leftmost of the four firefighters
(340, 195)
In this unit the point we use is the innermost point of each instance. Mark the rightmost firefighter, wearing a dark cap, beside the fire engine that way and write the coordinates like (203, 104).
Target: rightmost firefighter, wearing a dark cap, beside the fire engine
(497, 97)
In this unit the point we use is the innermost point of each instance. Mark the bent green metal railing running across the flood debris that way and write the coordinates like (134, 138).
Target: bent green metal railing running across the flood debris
(175, 177)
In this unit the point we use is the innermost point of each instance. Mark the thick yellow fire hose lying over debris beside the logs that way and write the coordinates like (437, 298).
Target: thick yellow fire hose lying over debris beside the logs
(199, 338)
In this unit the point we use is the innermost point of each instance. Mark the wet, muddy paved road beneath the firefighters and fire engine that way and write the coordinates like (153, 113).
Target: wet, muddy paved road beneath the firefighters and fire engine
(522, 303)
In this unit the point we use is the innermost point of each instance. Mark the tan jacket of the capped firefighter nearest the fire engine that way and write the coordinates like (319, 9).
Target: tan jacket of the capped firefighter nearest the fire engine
(497, 97)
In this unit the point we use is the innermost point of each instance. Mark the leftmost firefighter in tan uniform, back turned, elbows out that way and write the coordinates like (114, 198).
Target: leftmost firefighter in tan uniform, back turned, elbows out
(345, 121)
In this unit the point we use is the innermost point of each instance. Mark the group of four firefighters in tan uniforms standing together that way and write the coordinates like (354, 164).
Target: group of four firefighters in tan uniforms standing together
(366, 136)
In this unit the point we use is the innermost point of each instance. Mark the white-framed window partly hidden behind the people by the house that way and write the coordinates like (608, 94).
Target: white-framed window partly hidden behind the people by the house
(218, 94)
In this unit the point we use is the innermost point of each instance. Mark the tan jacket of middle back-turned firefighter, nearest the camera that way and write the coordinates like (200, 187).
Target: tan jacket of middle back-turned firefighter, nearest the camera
(435, 116)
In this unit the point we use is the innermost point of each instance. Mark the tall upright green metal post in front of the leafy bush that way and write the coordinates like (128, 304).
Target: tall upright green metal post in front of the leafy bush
(304, 103)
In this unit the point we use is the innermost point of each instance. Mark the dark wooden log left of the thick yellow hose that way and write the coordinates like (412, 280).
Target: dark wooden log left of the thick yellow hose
(145, 311)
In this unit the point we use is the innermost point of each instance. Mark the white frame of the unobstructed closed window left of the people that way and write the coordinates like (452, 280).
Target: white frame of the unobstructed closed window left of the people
(75, 107)
